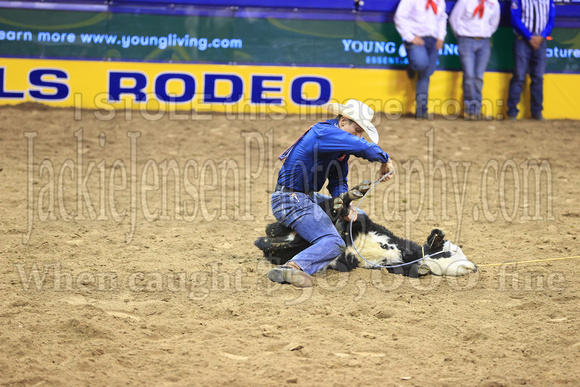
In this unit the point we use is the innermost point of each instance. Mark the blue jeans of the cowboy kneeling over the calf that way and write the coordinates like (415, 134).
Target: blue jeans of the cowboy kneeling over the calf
(302, 213)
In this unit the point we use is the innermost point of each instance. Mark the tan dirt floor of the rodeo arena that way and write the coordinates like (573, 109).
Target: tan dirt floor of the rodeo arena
(106, 281)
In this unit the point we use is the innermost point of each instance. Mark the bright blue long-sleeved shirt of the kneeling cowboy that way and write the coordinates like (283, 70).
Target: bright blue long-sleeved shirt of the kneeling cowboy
(323, 154)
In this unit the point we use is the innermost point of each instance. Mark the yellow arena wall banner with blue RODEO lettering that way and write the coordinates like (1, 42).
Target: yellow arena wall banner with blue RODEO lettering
(156, 89)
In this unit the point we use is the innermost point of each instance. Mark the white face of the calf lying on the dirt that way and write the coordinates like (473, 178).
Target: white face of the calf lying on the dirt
(456, 265)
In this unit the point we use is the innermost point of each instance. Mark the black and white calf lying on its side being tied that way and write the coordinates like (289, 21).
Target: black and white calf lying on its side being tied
(378, 245)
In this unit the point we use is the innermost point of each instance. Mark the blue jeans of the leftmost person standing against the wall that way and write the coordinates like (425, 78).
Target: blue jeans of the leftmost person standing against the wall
(422, 59)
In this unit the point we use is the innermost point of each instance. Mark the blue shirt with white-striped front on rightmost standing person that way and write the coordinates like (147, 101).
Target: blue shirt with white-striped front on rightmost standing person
(532, 17)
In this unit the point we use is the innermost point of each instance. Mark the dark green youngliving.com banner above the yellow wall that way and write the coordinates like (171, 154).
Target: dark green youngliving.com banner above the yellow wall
(292, 41)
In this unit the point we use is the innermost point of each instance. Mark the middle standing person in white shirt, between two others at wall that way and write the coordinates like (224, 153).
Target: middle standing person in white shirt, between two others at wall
(473, 22)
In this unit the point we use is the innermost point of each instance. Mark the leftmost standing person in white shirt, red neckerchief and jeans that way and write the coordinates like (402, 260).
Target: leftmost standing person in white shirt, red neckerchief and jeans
(423, 25)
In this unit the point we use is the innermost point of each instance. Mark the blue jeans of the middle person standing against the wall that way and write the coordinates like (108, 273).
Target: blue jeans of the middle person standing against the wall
(474, 55)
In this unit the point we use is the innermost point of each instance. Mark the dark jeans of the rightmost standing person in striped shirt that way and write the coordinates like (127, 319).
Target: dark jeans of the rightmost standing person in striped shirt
(524, 56)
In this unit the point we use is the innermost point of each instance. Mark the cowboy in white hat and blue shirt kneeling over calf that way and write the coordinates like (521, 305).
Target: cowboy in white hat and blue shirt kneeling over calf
(321, 154)
